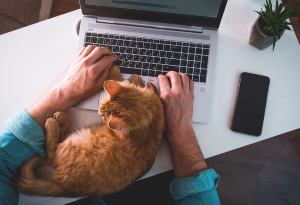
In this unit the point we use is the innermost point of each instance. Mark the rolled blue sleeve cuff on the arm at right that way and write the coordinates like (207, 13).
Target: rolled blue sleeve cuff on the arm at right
(198, 189)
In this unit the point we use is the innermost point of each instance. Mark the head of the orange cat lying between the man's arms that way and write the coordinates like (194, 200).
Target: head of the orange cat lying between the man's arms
(127, 107)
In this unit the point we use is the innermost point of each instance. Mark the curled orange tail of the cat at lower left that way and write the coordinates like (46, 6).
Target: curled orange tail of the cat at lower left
(30, 185)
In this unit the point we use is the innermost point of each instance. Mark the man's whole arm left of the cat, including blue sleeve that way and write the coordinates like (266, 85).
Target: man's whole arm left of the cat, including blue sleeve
(24, 136)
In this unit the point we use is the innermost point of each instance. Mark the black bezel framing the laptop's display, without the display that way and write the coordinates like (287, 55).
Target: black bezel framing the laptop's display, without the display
(150, 16)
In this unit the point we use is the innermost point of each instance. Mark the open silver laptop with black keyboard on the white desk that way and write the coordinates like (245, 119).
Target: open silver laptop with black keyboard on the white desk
(153, 37)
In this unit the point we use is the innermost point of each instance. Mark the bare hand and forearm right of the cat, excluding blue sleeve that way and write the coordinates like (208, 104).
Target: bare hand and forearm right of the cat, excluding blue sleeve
(177, 94)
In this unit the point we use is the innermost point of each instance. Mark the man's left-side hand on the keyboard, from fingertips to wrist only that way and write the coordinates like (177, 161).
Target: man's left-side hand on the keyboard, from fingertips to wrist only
(87, 73)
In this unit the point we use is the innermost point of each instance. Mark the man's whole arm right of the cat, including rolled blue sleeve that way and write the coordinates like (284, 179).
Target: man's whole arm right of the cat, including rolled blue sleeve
(194, 182)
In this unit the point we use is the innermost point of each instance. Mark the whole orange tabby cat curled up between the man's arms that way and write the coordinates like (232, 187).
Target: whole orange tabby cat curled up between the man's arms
(103, 159)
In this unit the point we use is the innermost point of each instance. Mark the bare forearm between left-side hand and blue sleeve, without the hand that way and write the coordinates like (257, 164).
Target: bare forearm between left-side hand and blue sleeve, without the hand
(55, 100)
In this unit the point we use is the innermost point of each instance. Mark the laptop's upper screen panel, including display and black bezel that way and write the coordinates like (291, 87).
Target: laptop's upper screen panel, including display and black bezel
(204, 13)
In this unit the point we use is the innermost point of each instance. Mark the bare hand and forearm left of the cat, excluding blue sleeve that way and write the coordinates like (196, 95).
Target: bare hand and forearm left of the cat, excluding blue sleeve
(84, 78)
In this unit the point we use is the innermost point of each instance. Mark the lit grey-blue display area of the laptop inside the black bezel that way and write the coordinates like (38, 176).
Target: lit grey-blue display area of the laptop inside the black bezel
(205, 8)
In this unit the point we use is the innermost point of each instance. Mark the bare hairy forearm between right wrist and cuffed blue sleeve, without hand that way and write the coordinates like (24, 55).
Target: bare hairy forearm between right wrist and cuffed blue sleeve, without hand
(186, 154)
